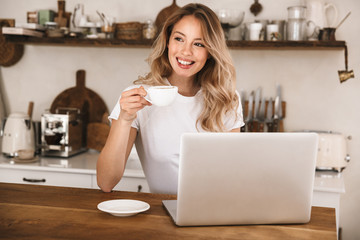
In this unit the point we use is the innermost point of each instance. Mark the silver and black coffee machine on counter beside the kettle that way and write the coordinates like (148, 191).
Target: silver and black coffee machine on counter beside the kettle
(63, 134)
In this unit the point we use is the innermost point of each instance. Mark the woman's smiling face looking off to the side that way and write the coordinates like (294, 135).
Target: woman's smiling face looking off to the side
(186, 51)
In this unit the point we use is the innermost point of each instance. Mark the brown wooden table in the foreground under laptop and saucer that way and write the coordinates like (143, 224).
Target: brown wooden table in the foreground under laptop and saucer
(44, 212)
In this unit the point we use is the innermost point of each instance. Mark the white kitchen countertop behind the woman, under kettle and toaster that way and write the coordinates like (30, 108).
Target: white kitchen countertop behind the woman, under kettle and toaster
(85, 163)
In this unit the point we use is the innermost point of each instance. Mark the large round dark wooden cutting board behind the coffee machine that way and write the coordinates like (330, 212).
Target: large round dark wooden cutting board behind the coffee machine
(90, 103)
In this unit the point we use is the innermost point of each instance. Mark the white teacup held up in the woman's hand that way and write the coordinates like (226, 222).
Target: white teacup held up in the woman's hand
(161, 95)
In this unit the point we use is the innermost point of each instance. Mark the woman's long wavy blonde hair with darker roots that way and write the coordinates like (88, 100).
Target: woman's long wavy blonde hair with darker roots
(217, 78)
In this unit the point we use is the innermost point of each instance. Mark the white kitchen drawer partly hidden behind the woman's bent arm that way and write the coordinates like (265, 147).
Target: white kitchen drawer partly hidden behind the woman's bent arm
(130, 184)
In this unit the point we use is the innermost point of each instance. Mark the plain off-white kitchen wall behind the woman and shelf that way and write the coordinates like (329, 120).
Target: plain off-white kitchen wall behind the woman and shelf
(316, 100)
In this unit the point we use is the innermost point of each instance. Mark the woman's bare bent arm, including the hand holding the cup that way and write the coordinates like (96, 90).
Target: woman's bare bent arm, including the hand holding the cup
(112, 159)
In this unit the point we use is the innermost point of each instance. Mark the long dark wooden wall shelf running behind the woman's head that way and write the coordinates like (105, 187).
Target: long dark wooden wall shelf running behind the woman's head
(78, 42)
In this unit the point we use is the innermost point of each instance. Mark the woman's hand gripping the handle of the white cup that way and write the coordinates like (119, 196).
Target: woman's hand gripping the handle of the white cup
(131, 102)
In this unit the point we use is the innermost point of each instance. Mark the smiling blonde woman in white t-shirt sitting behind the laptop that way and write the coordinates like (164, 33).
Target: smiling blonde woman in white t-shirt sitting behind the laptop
(190, 53)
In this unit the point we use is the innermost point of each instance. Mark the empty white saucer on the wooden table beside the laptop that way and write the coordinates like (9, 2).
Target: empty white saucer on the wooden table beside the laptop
(123, 207)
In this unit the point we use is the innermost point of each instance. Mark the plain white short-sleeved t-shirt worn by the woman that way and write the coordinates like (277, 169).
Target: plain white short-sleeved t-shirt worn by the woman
(158, 140)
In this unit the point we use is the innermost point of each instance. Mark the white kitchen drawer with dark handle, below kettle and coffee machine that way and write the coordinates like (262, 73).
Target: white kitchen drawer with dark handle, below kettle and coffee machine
(45, 178)
